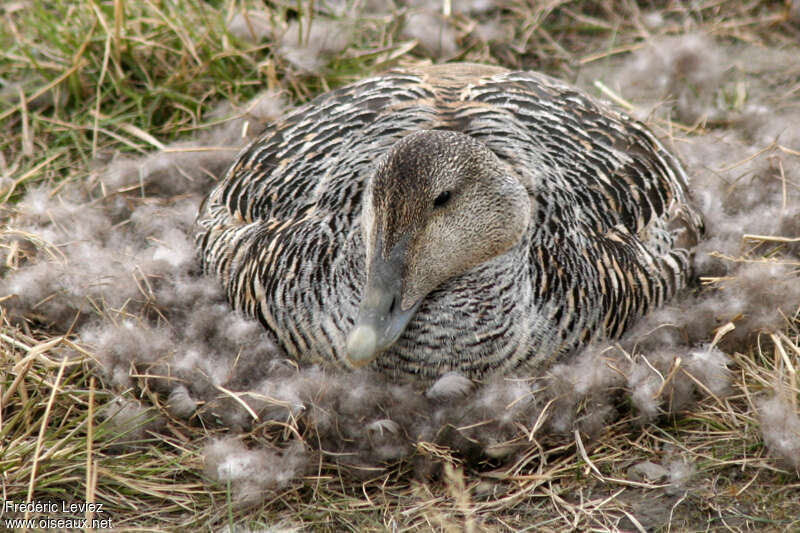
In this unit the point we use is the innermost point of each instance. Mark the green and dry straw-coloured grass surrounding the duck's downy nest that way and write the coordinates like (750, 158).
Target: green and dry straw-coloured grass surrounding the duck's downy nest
(82, 81)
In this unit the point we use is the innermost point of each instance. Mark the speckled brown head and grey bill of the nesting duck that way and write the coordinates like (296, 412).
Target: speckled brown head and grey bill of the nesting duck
(439, 204)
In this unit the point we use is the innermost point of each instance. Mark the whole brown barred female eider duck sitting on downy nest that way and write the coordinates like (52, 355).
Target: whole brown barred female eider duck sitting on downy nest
(450, 218)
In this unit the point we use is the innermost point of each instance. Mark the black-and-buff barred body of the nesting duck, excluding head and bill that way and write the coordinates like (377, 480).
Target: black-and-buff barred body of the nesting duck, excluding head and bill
(282, 229)
